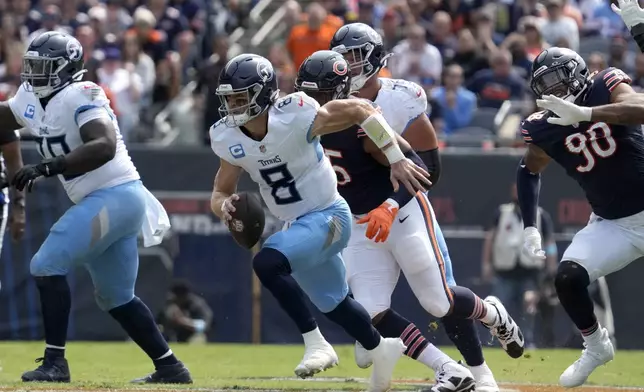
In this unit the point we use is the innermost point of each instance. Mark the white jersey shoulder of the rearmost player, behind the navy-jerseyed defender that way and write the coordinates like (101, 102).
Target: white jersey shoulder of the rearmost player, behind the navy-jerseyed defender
(401, 102)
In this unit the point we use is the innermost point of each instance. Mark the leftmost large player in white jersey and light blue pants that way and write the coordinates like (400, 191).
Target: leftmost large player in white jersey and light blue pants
(81, 144)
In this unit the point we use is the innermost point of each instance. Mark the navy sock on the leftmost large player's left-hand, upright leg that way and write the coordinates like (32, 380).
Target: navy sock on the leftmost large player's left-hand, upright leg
(55, 304)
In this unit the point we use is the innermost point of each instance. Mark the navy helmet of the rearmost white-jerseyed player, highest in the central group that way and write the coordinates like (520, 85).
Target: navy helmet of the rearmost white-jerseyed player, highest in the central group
(363, 49)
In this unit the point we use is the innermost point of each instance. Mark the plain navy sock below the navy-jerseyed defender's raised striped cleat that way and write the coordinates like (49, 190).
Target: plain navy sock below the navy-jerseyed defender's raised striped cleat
(462, 332)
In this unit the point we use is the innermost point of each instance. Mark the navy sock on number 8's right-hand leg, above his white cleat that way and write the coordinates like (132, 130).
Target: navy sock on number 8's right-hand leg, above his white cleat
(355, 320)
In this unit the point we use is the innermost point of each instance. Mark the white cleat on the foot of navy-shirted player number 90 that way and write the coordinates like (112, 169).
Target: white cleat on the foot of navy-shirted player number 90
(593, 356)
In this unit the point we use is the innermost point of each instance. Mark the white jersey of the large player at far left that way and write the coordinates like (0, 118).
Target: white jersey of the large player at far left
(57, 131)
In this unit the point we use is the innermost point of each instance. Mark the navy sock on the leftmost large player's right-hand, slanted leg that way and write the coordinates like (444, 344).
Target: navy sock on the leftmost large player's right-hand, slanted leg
(137, 320)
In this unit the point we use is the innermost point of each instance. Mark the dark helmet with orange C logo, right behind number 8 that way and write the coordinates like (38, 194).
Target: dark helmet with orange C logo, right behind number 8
(324, 76)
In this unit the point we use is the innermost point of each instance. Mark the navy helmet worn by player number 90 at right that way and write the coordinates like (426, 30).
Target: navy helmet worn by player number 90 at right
(560, 72)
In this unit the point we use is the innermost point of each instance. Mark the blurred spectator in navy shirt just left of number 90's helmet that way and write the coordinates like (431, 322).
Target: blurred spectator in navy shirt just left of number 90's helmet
(499, 83)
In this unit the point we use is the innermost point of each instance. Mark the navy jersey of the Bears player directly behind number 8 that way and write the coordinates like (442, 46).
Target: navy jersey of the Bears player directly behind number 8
(362, 181)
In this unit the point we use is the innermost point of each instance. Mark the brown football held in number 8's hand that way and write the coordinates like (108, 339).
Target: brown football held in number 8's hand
(248, 220)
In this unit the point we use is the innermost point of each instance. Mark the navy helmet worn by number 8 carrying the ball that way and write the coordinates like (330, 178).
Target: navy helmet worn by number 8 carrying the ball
(247, 88)
